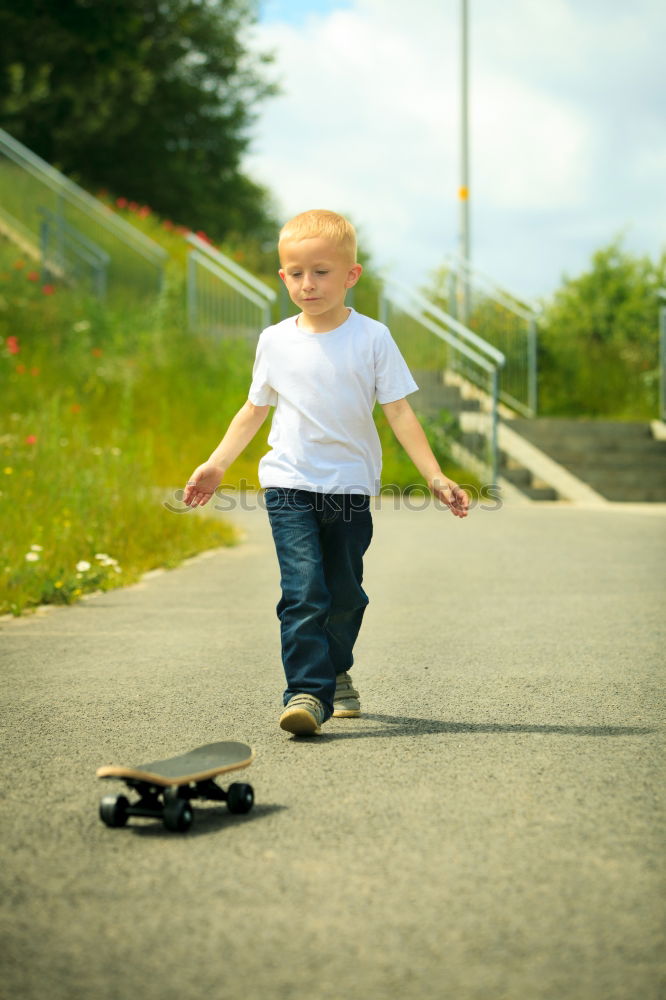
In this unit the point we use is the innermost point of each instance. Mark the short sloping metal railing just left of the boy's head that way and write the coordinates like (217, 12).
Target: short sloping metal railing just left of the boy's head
(223, 299)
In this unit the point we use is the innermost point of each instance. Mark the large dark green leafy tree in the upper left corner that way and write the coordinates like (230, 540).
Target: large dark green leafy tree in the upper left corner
(152, 99)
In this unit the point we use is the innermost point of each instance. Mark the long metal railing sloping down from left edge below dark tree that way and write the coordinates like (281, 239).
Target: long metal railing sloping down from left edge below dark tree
(32, 190)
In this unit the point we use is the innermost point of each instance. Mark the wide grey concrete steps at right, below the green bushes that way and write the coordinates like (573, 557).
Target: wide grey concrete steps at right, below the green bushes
(621, 461)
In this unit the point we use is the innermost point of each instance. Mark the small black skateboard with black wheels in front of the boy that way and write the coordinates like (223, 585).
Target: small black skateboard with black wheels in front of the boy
(167, 787)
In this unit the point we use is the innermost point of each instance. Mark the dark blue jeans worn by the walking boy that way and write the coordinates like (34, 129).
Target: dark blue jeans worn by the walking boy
(320, 540)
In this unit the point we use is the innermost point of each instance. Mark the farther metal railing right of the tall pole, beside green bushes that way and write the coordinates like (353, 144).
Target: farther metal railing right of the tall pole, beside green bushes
(507, 322)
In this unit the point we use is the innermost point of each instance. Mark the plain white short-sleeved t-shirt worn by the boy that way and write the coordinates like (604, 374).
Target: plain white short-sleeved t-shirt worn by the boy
(323, 387)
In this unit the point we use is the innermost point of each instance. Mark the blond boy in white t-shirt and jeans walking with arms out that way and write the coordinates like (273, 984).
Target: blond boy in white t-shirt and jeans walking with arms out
(322, 371)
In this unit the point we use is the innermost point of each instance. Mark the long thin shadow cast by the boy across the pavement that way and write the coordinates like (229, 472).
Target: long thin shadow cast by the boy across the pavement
(395, 725)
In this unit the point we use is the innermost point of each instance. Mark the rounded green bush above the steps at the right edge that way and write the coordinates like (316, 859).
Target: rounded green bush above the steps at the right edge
(598, 354)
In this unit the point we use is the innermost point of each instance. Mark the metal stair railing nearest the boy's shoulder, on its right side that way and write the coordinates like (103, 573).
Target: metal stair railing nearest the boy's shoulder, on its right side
(442, 351)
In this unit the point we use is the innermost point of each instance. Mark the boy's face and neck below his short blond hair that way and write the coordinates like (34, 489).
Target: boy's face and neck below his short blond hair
(317, 275)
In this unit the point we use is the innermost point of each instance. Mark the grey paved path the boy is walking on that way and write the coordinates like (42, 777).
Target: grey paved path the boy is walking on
(491, 829)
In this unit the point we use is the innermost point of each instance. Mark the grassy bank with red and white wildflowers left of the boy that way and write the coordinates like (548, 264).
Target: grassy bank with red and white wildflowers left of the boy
(99, 420)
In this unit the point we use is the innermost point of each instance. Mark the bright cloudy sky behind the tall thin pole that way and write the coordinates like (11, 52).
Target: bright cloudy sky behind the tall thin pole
(567, 129)
